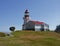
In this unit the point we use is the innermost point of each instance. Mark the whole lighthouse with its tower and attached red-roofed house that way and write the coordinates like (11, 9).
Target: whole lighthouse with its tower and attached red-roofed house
(32, 24)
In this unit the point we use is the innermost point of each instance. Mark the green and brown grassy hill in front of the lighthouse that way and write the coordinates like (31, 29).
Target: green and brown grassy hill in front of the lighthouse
(31, 38)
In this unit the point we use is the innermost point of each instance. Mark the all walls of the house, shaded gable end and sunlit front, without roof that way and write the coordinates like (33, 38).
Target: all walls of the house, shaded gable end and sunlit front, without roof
(37, 27)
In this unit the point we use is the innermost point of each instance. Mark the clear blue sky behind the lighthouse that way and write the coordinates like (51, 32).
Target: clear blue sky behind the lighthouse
(12, 12)
